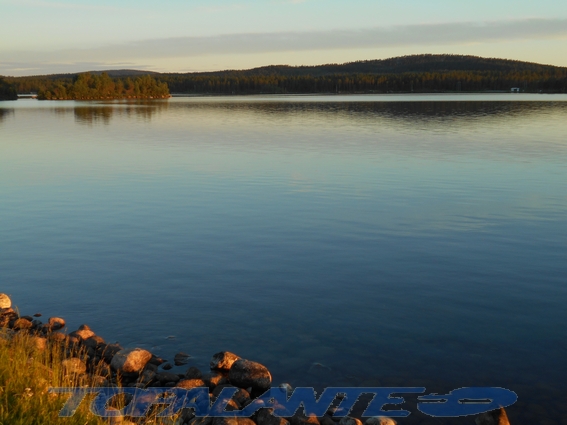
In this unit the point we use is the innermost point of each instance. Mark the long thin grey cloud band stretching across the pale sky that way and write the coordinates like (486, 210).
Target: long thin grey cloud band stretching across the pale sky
(255, 43)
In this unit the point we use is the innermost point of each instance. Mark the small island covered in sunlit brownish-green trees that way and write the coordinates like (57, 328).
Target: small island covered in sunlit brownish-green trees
(89, 86)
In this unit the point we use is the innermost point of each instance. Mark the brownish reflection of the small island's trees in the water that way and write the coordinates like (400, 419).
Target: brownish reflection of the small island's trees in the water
(102, 114)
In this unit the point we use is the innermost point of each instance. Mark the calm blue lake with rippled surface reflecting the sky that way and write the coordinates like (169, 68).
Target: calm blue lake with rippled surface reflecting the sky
(393, 240)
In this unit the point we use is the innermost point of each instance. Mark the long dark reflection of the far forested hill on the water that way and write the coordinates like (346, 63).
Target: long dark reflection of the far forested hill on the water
(401, 112)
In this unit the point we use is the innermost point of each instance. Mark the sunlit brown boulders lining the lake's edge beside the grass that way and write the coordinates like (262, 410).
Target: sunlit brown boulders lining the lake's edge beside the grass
(87, 355)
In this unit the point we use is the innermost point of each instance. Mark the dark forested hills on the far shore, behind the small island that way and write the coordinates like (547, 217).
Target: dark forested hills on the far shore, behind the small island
(417, 73)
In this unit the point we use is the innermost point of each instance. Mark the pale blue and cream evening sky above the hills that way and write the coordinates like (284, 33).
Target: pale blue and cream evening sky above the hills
(44, 36)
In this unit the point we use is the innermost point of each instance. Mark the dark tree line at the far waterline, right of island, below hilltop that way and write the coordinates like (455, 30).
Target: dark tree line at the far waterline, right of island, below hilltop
(420, 82)
